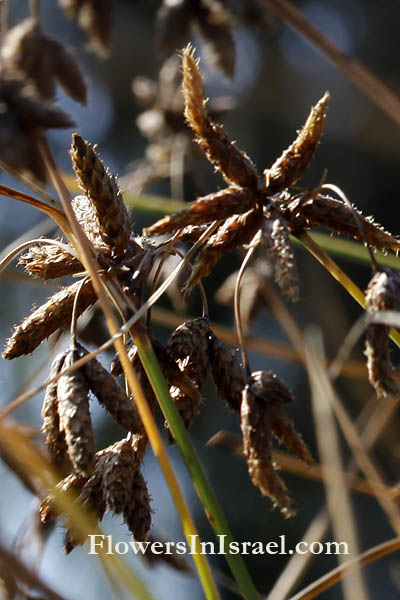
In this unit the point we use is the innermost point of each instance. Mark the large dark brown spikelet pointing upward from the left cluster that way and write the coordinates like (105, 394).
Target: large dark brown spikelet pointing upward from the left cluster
(102, 190)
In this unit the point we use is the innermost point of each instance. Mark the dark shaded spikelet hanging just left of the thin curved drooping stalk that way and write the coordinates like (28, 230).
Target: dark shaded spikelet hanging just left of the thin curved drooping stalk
(227, 373)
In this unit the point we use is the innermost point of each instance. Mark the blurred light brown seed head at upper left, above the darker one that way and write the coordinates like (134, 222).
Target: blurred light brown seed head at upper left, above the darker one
(42, 60)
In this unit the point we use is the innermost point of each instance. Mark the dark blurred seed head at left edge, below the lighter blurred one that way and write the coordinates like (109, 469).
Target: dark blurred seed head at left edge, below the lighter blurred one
(24, 117)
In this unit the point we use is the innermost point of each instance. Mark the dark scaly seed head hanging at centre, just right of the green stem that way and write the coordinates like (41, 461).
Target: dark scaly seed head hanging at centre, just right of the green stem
(188, 346)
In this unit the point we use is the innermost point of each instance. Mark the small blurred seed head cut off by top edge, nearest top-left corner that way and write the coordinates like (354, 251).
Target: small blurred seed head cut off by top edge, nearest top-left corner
(95, 17)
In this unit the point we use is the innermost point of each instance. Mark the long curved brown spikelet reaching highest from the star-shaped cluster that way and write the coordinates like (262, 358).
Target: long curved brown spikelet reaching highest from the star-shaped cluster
(235, 166)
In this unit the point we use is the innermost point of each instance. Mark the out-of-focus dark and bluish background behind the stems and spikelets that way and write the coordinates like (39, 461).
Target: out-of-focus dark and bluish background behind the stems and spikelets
(278, 77)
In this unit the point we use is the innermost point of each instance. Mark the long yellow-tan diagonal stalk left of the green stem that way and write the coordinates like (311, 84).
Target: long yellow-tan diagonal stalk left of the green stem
(85, 253)
